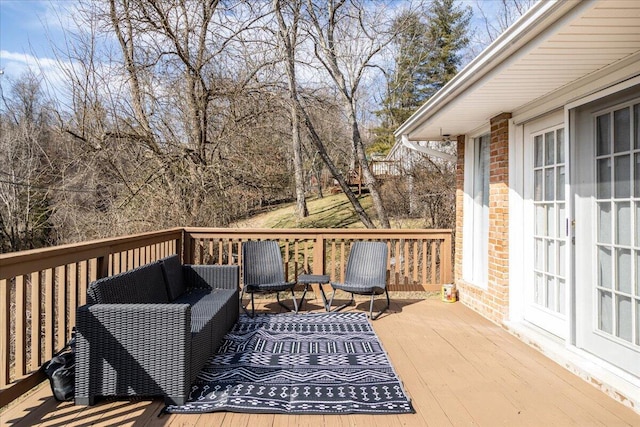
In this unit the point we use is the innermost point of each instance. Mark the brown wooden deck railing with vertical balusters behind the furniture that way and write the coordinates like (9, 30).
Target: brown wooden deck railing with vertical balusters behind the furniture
(41, 289)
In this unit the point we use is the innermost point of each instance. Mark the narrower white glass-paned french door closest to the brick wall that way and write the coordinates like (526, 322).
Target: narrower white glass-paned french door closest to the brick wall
(546, 219)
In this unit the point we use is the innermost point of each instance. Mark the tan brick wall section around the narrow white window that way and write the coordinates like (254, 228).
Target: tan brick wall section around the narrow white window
(492, 302)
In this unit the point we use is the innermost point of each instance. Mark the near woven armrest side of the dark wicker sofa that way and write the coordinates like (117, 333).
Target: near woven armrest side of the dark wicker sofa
(132, 349)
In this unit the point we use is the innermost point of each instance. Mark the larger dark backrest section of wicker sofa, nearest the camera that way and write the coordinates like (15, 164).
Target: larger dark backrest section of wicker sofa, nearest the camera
(144, 284)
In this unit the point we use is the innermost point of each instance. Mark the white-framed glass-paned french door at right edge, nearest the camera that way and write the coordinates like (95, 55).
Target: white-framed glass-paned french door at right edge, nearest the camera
(607, 239)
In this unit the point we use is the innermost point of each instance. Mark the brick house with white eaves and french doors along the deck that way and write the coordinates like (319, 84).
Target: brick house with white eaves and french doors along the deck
(547, 124)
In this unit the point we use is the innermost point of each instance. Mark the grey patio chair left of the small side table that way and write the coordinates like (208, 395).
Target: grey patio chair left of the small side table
(263, 272)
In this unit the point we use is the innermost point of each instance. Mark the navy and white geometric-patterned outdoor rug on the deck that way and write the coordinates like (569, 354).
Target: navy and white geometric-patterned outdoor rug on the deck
(321, 363)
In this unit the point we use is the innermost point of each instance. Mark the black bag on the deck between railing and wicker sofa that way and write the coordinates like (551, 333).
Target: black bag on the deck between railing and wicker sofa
(61, 372)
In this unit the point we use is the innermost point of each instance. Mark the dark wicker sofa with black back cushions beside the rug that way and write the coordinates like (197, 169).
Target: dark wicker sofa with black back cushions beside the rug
(149, 331)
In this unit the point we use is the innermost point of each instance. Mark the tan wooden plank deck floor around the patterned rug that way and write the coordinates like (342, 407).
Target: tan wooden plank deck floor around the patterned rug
(458, 368)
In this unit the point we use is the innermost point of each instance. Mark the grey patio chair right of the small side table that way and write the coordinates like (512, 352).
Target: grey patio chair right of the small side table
(366, 274)
